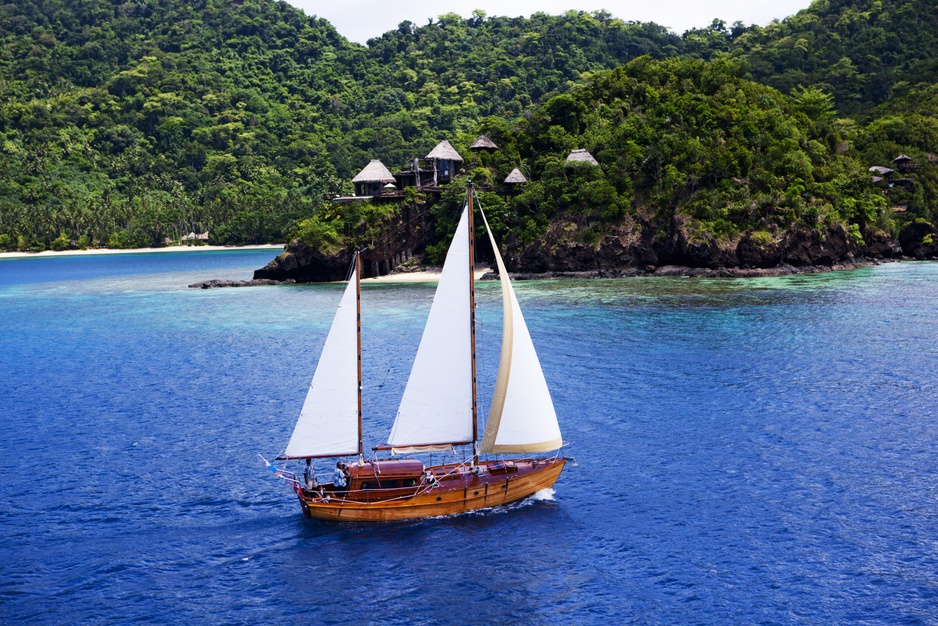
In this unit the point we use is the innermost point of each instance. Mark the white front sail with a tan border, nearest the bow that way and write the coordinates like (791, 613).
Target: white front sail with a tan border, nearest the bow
(522, 418)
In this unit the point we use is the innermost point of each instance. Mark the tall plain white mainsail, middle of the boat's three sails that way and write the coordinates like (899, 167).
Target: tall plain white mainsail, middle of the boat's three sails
(436, 410)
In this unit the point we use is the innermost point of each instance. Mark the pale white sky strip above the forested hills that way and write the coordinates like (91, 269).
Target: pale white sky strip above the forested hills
(360, 20)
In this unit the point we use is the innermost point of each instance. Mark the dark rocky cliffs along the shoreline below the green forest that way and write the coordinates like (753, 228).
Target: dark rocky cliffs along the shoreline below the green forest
(639, 248)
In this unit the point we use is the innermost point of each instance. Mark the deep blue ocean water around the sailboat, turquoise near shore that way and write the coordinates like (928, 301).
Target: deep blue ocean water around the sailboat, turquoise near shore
(750, 451)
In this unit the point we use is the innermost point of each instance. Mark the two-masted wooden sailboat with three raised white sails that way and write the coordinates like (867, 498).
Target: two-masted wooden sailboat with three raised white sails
(438, 412)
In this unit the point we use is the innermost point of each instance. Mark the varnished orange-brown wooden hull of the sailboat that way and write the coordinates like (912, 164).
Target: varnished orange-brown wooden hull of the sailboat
(458, 490)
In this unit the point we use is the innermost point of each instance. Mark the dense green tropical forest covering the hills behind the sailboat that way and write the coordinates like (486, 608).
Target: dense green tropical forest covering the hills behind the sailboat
(129, 124)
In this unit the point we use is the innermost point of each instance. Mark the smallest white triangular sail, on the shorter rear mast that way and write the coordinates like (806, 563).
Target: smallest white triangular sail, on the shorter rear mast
(328, 423)
